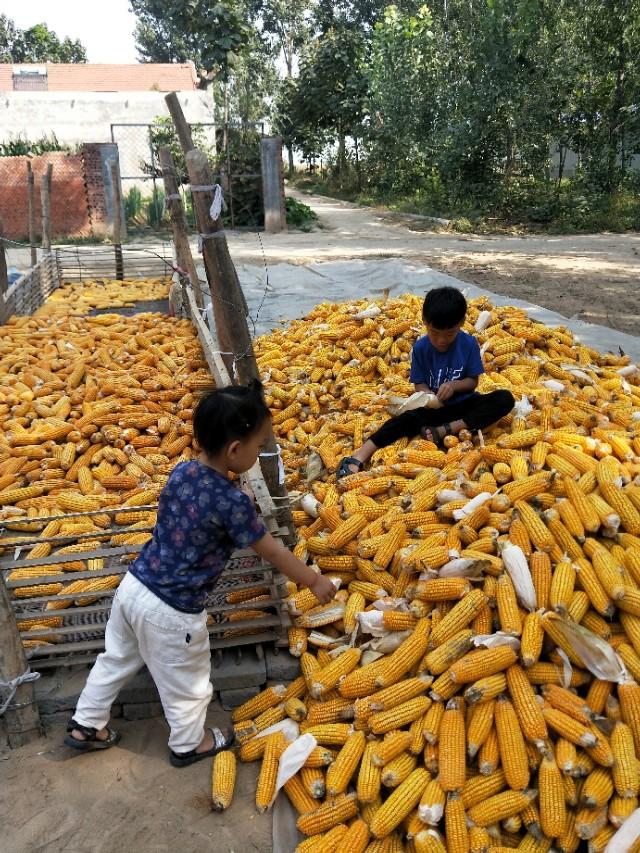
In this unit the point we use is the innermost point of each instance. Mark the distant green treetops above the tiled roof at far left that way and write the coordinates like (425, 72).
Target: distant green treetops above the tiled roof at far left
(37, 44)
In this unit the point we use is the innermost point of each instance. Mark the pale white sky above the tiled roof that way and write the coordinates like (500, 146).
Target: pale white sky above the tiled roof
(105, 27)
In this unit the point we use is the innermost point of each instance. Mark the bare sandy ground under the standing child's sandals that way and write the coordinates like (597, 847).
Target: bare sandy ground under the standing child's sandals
(124, 800)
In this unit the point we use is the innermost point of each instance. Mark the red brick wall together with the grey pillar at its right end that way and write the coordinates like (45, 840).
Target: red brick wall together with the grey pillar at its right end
(79, 203)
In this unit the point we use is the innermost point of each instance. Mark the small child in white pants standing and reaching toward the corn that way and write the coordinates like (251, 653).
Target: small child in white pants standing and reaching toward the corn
(158, 616)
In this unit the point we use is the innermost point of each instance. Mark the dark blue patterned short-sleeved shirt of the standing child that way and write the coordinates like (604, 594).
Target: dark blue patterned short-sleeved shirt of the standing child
(202, 519)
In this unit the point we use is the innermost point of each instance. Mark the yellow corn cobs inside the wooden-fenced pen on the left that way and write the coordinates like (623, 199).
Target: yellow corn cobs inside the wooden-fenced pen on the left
(94, 414)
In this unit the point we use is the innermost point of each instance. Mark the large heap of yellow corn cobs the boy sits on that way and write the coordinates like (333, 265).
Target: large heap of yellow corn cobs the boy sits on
(498, 707)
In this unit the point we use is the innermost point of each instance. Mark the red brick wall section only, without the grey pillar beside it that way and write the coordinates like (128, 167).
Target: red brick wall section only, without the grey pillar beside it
(69, 212)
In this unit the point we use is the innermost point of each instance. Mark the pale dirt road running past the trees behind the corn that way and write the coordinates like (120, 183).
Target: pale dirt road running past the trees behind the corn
(593, 276)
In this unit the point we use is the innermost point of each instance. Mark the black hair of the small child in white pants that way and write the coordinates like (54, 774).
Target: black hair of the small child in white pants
(229, 414)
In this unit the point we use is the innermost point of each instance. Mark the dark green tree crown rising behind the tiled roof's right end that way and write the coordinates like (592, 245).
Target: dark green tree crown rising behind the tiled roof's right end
(210, 33)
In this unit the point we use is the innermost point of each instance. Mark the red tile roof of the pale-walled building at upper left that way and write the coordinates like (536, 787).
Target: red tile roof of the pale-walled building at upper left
(94, 77)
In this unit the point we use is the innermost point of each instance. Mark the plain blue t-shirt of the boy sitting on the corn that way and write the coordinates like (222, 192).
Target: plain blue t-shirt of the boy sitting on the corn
(433, 368)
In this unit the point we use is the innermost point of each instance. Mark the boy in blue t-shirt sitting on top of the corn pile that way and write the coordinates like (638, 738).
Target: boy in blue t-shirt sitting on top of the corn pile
(447, 362)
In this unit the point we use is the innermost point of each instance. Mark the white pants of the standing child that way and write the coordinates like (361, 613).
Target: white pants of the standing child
(142, 629)
